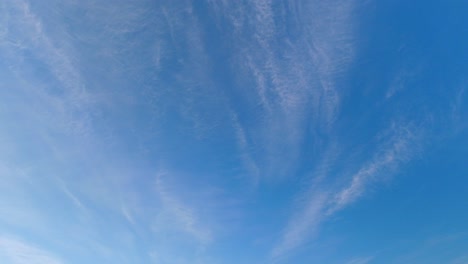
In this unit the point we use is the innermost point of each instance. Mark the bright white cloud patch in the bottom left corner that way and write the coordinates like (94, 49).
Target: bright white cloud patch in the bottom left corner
(18, 252)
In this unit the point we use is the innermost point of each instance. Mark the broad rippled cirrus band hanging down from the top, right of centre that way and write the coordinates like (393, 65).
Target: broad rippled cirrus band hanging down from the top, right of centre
(291, 73)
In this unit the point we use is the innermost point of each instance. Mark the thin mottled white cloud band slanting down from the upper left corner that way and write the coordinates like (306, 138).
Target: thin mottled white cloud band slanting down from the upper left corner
(65, 100)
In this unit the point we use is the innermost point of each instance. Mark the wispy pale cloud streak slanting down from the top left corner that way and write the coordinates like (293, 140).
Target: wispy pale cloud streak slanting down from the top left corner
(69, 98)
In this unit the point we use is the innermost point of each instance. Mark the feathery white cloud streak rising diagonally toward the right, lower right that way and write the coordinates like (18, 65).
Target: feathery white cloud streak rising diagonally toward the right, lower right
(320, 202)
